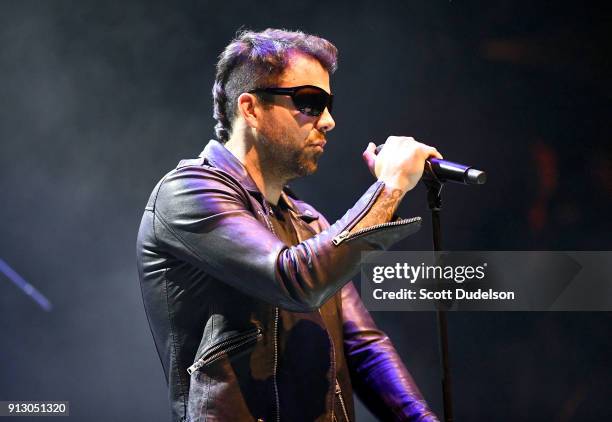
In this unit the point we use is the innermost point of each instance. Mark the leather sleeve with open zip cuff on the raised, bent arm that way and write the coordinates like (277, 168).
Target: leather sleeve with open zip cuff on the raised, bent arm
(204, 217)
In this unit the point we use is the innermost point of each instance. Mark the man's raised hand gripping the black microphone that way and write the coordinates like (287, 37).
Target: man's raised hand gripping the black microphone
(400, 163)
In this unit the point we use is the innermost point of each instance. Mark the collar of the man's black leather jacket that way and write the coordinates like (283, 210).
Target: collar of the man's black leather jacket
(219, 156)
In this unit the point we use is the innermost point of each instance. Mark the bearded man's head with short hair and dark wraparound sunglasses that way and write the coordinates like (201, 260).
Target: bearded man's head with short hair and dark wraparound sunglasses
(289, 135)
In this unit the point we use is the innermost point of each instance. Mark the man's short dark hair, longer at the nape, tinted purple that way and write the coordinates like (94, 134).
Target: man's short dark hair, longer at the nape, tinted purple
(254, 59)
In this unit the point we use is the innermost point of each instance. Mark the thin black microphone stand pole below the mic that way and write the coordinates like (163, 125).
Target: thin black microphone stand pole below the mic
(434, 200)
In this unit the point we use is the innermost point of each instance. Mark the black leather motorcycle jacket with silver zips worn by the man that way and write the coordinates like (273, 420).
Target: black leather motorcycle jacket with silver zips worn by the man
(249, 329)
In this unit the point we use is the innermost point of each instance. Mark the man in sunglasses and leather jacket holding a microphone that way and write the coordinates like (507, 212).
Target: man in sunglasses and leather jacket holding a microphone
(247, 288)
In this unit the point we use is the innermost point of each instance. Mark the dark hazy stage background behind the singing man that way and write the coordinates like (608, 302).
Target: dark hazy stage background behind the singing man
(98, 101)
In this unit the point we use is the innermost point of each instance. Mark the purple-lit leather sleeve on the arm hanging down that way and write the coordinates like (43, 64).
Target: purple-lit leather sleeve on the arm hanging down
(378, 375)
